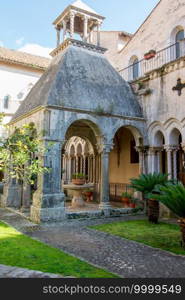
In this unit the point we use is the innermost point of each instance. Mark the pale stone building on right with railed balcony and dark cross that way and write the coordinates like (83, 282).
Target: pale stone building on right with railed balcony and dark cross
(158, 81)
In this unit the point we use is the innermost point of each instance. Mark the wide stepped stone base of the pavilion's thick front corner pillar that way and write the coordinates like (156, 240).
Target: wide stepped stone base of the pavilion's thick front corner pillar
(48, 208)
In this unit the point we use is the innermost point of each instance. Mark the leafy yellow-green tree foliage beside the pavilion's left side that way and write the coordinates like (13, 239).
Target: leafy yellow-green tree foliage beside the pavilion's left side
(19, 154)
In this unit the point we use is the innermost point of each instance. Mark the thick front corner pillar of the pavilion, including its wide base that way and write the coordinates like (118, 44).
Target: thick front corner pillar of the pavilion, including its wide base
(48, 200)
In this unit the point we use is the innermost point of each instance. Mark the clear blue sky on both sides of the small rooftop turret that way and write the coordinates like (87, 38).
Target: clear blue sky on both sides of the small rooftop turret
(30, 22)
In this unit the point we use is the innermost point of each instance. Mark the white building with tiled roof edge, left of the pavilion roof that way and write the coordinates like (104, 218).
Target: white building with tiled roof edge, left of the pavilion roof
(18, 74)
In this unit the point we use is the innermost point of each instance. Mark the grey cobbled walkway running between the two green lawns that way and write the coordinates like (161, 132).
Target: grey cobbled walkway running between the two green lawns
(126, 258)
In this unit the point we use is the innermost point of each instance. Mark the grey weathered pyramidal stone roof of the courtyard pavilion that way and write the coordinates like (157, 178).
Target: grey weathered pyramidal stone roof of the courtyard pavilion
(82, 79)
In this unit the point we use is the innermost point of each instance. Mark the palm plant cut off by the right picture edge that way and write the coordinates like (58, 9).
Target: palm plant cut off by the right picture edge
(173, 197)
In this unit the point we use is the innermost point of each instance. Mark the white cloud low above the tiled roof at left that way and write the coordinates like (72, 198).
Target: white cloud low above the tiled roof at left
(36, 50)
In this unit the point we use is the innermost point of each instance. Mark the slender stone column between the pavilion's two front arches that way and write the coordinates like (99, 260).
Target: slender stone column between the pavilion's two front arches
(104, 197)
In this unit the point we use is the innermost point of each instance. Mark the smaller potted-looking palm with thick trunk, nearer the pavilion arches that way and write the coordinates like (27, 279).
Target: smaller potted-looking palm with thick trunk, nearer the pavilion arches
(146, 184)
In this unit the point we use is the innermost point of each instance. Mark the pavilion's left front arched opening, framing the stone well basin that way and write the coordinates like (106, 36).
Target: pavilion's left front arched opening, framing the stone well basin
(81, 159)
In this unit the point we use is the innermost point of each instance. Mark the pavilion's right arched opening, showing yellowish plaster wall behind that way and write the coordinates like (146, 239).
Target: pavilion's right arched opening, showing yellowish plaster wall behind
(124, 163)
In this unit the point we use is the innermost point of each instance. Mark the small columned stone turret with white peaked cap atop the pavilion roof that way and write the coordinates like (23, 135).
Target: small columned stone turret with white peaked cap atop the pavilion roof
(78, 19)
